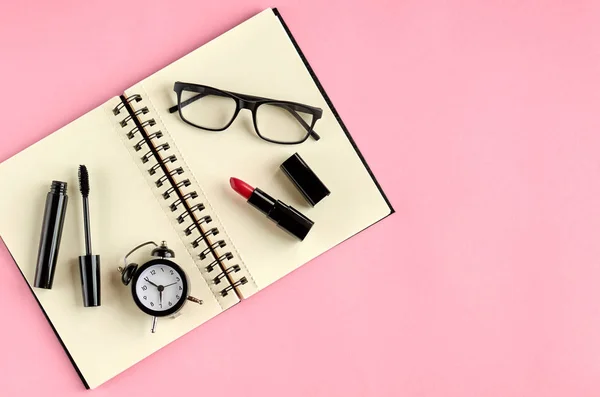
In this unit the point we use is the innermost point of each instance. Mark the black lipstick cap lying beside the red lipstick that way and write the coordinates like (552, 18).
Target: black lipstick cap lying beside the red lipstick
(305, 179)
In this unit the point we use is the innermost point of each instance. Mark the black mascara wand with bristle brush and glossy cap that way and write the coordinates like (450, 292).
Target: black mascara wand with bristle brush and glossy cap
(89, 265)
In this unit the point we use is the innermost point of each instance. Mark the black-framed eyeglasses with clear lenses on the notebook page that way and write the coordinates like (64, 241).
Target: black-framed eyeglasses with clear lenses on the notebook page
(275, 121)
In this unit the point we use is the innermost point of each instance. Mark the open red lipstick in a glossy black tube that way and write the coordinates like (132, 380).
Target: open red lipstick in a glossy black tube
(286, 216)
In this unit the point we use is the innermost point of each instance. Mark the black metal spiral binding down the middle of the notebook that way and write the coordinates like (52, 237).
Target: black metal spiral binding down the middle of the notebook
(174, 192)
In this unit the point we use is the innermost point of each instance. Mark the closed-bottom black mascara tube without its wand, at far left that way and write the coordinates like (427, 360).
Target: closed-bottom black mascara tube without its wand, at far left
(54, 217)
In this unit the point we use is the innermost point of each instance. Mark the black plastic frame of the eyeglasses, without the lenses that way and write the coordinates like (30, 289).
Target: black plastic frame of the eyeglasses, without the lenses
(251, 103)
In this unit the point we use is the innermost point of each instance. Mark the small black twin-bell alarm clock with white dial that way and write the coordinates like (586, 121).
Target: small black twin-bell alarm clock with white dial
(159, 287)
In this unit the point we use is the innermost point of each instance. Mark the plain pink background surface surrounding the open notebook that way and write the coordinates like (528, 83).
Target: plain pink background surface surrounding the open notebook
(482, 124)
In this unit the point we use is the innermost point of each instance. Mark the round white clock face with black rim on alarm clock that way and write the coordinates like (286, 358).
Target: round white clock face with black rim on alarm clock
(159, 287)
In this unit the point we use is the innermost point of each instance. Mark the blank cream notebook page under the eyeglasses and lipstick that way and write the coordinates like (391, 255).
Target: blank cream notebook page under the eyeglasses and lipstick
(258, 58)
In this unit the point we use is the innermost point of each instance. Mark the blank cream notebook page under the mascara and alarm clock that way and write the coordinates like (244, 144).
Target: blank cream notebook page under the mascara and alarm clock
(105, 340)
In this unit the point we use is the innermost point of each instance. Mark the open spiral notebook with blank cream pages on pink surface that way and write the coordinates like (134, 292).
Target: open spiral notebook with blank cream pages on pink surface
(258, 57)
